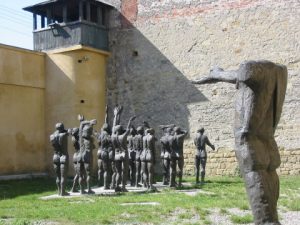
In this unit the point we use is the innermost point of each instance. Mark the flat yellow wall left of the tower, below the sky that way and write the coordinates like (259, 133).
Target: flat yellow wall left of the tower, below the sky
(22, 132)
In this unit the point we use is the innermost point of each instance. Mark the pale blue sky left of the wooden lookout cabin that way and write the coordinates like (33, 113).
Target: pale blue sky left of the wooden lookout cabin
(16, 24)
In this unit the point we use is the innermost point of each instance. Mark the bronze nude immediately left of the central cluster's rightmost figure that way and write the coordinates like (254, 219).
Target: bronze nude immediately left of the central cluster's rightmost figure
(138, 148)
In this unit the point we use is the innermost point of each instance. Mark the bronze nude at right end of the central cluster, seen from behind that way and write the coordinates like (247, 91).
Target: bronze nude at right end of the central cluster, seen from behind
(148, 158)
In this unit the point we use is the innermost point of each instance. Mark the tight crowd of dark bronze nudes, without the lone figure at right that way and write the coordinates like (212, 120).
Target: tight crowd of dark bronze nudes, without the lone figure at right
(122, 154)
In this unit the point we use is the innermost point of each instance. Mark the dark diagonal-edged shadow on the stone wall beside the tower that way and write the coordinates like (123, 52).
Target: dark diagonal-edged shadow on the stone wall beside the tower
(143, 80)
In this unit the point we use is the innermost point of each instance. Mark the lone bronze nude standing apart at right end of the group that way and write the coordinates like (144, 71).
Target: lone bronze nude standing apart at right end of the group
(200, 142)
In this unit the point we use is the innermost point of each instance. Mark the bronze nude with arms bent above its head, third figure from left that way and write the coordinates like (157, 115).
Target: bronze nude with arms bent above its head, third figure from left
(86, 143)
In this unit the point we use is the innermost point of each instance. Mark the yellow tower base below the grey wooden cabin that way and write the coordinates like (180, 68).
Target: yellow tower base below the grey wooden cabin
(72, 75)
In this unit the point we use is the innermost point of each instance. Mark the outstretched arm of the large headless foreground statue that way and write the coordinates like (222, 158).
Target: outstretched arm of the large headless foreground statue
(218, 75)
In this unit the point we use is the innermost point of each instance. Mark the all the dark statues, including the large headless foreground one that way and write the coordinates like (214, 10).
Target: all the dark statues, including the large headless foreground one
(261, 90)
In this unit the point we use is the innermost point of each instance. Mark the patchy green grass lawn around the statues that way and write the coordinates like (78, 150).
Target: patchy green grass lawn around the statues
(20, 204)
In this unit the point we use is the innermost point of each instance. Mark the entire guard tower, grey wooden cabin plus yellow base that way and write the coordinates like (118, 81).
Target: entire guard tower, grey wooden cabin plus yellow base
(74, 36)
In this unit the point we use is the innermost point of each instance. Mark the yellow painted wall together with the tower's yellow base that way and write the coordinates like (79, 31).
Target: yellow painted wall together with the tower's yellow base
(37, 90)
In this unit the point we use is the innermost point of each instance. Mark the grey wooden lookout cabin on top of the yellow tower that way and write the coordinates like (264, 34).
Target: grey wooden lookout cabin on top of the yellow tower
(64, 23)
